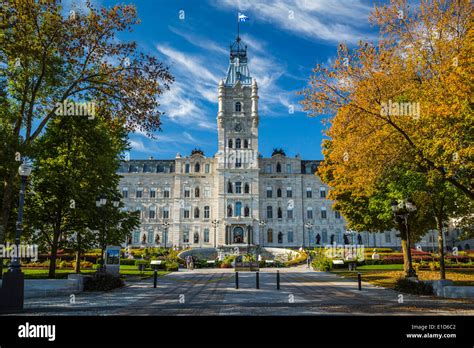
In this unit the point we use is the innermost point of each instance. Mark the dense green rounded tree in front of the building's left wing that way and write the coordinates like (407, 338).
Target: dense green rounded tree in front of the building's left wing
(75, 161)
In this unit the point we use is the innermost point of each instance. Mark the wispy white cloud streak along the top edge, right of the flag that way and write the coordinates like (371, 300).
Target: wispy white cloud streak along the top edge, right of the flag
(335, 20)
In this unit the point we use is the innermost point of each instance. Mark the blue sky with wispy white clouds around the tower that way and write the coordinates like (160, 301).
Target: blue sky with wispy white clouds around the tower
(285, 39)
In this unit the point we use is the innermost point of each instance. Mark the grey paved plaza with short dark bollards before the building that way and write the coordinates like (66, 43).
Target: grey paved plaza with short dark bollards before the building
(212, 292)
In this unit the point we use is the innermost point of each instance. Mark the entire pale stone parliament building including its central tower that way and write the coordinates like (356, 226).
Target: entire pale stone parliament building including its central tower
(236, 196)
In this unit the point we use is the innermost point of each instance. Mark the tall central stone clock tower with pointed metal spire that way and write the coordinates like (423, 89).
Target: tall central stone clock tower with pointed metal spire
(237, 156)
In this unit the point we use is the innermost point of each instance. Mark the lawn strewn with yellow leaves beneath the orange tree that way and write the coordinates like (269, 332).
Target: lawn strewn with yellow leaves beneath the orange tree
(388, 278)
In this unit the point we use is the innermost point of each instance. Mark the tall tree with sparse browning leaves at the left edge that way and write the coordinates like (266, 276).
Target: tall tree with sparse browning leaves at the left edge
(47, 58)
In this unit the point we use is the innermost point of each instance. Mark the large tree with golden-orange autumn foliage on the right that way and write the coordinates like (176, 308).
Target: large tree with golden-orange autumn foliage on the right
(405, 100)
